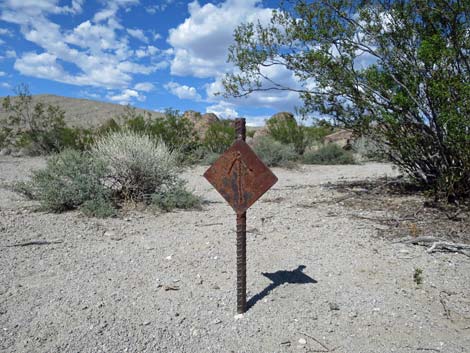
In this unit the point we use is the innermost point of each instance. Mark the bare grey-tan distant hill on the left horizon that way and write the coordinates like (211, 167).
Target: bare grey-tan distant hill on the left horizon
(83, 112)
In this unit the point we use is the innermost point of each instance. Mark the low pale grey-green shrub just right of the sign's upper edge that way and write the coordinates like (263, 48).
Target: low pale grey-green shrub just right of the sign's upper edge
(275, 154)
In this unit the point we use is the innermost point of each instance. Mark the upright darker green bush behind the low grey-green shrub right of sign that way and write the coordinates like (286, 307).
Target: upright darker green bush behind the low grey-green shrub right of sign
(287, 131)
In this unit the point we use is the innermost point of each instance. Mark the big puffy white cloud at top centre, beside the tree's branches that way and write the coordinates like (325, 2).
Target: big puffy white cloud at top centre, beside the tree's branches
(214, 24)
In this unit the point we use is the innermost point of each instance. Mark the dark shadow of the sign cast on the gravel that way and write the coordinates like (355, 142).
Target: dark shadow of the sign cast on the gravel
(279, 278)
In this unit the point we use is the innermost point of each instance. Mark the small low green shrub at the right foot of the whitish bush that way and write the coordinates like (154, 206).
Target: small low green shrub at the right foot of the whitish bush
(175, 197)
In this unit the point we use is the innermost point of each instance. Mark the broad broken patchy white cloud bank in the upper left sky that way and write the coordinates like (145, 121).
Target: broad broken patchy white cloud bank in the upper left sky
(96, 51)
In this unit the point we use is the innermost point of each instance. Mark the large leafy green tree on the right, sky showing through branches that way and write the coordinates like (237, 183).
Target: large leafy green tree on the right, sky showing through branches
(397, 70)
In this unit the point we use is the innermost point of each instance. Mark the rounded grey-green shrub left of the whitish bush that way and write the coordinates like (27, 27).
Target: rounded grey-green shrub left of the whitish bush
(70, 179)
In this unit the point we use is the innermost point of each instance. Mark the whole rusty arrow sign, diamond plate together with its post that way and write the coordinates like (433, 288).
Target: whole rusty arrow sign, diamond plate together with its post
(241, 178)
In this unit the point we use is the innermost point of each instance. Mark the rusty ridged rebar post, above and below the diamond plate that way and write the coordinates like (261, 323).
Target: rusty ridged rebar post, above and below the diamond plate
(240, 130)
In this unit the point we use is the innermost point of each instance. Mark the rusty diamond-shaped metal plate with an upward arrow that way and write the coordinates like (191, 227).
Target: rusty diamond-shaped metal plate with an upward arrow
(240, 176)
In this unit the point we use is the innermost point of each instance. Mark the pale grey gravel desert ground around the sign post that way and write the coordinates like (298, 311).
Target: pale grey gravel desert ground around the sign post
(318, 279)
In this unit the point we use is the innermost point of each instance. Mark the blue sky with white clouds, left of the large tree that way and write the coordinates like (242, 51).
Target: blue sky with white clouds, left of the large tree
(151, 54)
